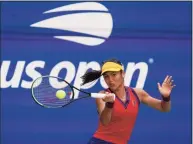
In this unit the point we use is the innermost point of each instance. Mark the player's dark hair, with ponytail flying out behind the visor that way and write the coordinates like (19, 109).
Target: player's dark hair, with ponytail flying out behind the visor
(90, 76)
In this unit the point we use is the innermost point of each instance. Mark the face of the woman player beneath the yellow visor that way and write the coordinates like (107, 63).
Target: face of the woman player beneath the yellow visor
(114, 79)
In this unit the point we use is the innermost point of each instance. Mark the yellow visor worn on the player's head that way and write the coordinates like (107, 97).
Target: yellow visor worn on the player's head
(111, 66)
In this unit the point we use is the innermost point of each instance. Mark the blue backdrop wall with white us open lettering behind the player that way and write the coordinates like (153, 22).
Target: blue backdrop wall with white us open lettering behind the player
(152, 39)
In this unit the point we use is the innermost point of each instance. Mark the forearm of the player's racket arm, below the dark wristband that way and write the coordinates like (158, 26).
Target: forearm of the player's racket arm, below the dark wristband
(106, 114)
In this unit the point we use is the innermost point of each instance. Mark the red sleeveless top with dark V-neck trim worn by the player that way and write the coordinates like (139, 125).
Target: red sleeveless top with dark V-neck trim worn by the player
(119, 130)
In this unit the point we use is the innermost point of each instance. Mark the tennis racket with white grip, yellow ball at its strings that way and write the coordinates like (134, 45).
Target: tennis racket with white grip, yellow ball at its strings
(45, 92)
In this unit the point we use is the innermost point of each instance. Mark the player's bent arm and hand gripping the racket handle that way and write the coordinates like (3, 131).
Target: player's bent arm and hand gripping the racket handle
(104, 109)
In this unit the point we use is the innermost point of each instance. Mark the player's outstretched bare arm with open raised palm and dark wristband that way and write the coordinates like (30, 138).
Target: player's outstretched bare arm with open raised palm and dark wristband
(165, 90)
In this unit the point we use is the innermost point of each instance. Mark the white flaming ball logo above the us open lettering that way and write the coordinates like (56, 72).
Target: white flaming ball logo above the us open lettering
(90, 23)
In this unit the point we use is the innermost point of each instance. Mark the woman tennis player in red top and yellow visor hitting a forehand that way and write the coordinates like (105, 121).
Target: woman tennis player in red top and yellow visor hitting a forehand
(117, 116)
